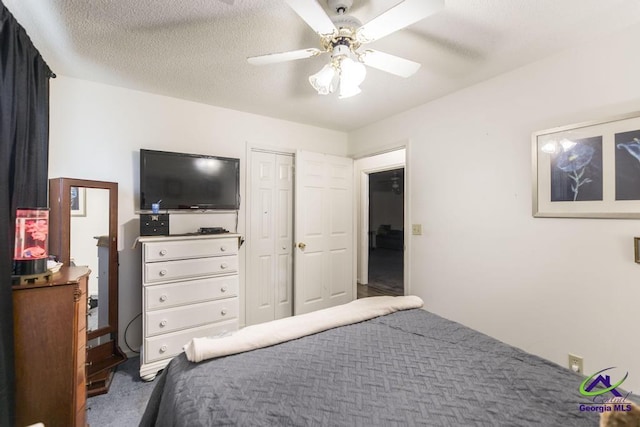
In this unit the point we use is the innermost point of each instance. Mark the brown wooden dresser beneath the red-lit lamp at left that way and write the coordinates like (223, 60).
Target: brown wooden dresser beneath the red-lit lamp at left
(50, 349)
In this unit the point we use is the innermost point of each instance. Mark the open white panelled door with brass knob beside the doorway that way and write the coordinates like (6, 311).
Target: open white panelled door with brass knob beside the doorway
(324, 256)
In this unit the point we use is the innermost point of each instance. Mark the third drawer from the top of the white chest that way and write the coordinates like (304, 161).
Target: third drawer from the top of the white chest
(193, 291)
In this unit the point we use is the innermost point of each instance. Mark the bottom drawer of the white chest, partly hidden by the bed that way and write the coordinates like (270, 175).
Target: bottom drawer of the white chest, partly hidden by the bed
(169, 345)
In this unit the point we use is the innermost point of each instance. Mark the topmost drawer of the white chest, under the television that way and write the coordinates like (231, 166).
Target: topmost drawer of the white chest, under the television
(169, 250)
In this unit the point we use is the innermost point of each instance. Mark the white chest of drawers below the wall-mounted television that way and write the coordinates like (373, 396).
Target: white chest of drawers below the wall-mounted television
(189, 289)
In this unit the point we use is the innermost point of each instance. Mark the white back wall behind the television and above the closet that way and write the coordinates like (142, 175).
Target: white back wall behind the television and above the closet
(96, 133)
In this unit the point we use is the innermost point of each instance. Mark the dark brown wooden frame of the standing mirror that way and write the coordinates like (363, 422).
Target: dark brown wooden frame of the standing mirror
(60, 238)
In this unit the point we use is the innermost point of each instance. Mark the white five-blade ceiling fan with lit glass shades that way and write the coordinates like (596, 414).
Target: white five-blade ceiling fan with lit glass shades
(344, 37)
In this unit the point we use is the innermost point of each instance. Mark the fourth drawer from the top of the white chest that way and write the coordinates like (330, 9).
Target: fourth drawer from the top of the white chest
(173, 319)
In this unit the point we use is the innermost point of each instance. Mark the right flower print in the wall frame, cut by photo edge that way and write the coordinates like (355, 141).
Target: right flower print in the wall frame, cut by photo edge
(627, 160)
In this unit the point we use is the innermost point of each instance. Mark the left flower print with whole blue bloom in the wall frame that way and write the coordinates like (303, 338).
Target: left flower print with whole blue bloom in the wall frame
(576, 171)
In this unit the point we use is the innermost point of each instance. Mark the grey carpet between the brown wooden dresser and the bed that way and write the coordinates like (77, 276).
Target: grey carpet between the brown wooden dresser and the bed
(124, 405)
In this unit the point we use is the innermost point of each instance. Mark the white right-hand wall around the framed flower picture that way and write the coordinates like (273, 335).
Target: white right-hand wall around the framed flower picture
(549, 286)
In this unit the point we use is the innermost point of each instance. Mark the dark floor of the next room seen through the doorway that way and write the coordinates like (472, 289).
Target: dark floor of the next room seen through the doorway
(386, 271)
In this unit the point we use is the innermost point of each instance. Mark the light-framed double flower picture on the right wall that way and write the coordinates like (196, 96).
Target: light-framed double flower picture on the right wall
(588, 170)
